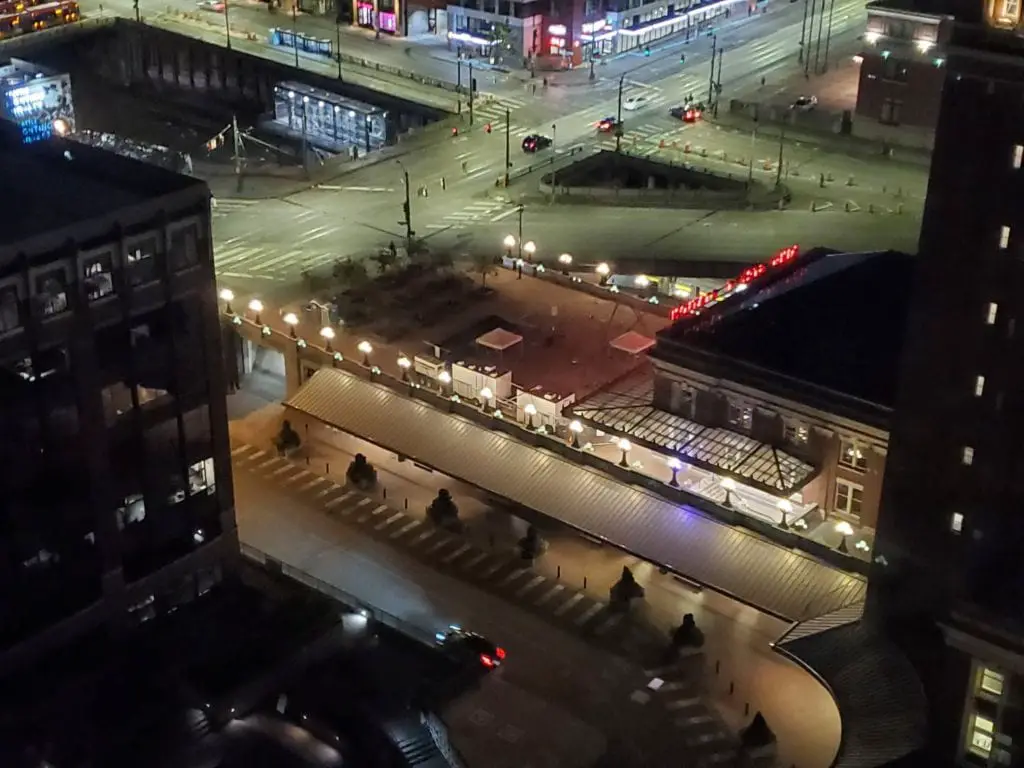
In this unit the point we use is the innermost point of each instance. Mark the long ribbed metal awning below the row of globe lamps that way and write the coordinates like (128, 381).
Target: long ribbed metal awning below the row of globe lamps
(679, 538)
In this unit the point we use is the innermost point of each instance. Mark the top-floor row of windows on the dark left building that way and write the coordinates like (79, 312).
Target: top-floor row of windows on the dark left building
(49, 286)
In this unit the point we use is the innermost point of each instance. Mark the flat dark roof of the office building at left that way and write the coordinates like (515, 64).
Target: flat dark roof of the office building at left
(59, 183)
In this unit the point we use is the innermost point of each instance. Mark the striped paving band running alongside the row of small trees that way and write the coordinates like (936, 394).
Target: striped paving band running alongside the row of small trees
(677, 691)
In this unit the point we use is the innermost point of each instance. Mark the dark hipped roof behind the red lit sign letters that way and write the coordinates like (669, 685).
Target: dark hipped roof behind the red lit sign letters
(833, 321)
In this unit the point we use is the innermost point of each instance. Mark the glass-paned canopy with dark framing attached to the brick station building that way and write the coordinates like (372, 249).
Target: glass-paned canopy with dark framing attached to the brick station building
(628, 411)
